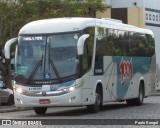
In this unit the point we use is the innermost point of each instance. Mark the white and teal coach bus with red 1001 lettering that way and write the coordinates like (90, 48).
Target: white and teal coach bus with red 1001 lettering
(82, 62)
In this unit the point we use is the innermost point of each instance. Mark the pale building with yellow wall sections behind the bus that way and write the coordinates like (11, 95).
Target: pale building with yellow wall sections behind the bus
(141, 13)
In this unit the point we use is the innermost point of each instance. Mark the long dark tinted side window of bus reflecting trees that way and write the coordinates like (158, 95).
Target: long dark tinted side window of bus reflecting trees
(111, 42)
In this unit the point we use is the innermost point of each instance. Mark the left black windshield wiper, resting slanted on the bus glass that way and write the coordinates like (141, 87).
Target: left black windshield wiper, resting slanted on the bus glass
(38, 64)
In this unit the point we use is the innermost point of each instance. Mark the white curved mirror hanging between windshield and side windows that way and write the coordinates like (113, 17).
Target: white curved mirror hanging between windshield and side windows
(80, 44)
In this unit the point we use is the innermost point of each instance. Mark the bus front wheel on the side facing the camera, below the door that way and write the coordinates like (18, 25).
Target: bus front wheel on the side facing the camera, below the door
(96, 106)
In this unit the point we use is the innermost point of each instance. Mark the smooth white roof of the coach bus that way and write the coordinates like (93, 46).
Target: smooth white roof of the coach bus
(57, 25)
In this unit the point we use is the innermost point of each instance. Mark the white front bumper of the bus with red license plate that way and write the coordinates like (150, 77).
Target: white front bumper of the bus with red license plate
(69, 99)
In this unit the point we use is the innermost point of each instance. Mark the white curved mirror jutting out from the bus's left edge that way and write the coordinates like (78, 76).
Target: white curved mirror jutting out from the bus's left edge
(7, 47)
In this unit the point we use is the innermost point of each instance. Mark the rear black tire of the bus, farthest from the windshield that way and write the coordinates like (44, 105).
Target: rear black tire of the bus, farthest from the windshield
(137, 101)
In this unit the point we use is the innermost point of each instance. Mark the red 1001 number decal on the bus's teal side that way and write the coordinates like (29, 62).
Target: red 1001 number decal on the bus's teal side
(126, 70)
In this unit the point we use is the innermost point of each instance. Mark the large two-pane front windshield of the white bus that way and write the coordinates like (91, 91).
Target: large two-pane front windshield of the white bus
(47, 57)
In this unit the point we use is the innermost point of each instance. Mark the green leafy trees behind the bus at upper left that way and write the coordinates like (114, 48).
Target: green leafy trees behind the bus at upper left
(16, 13)
